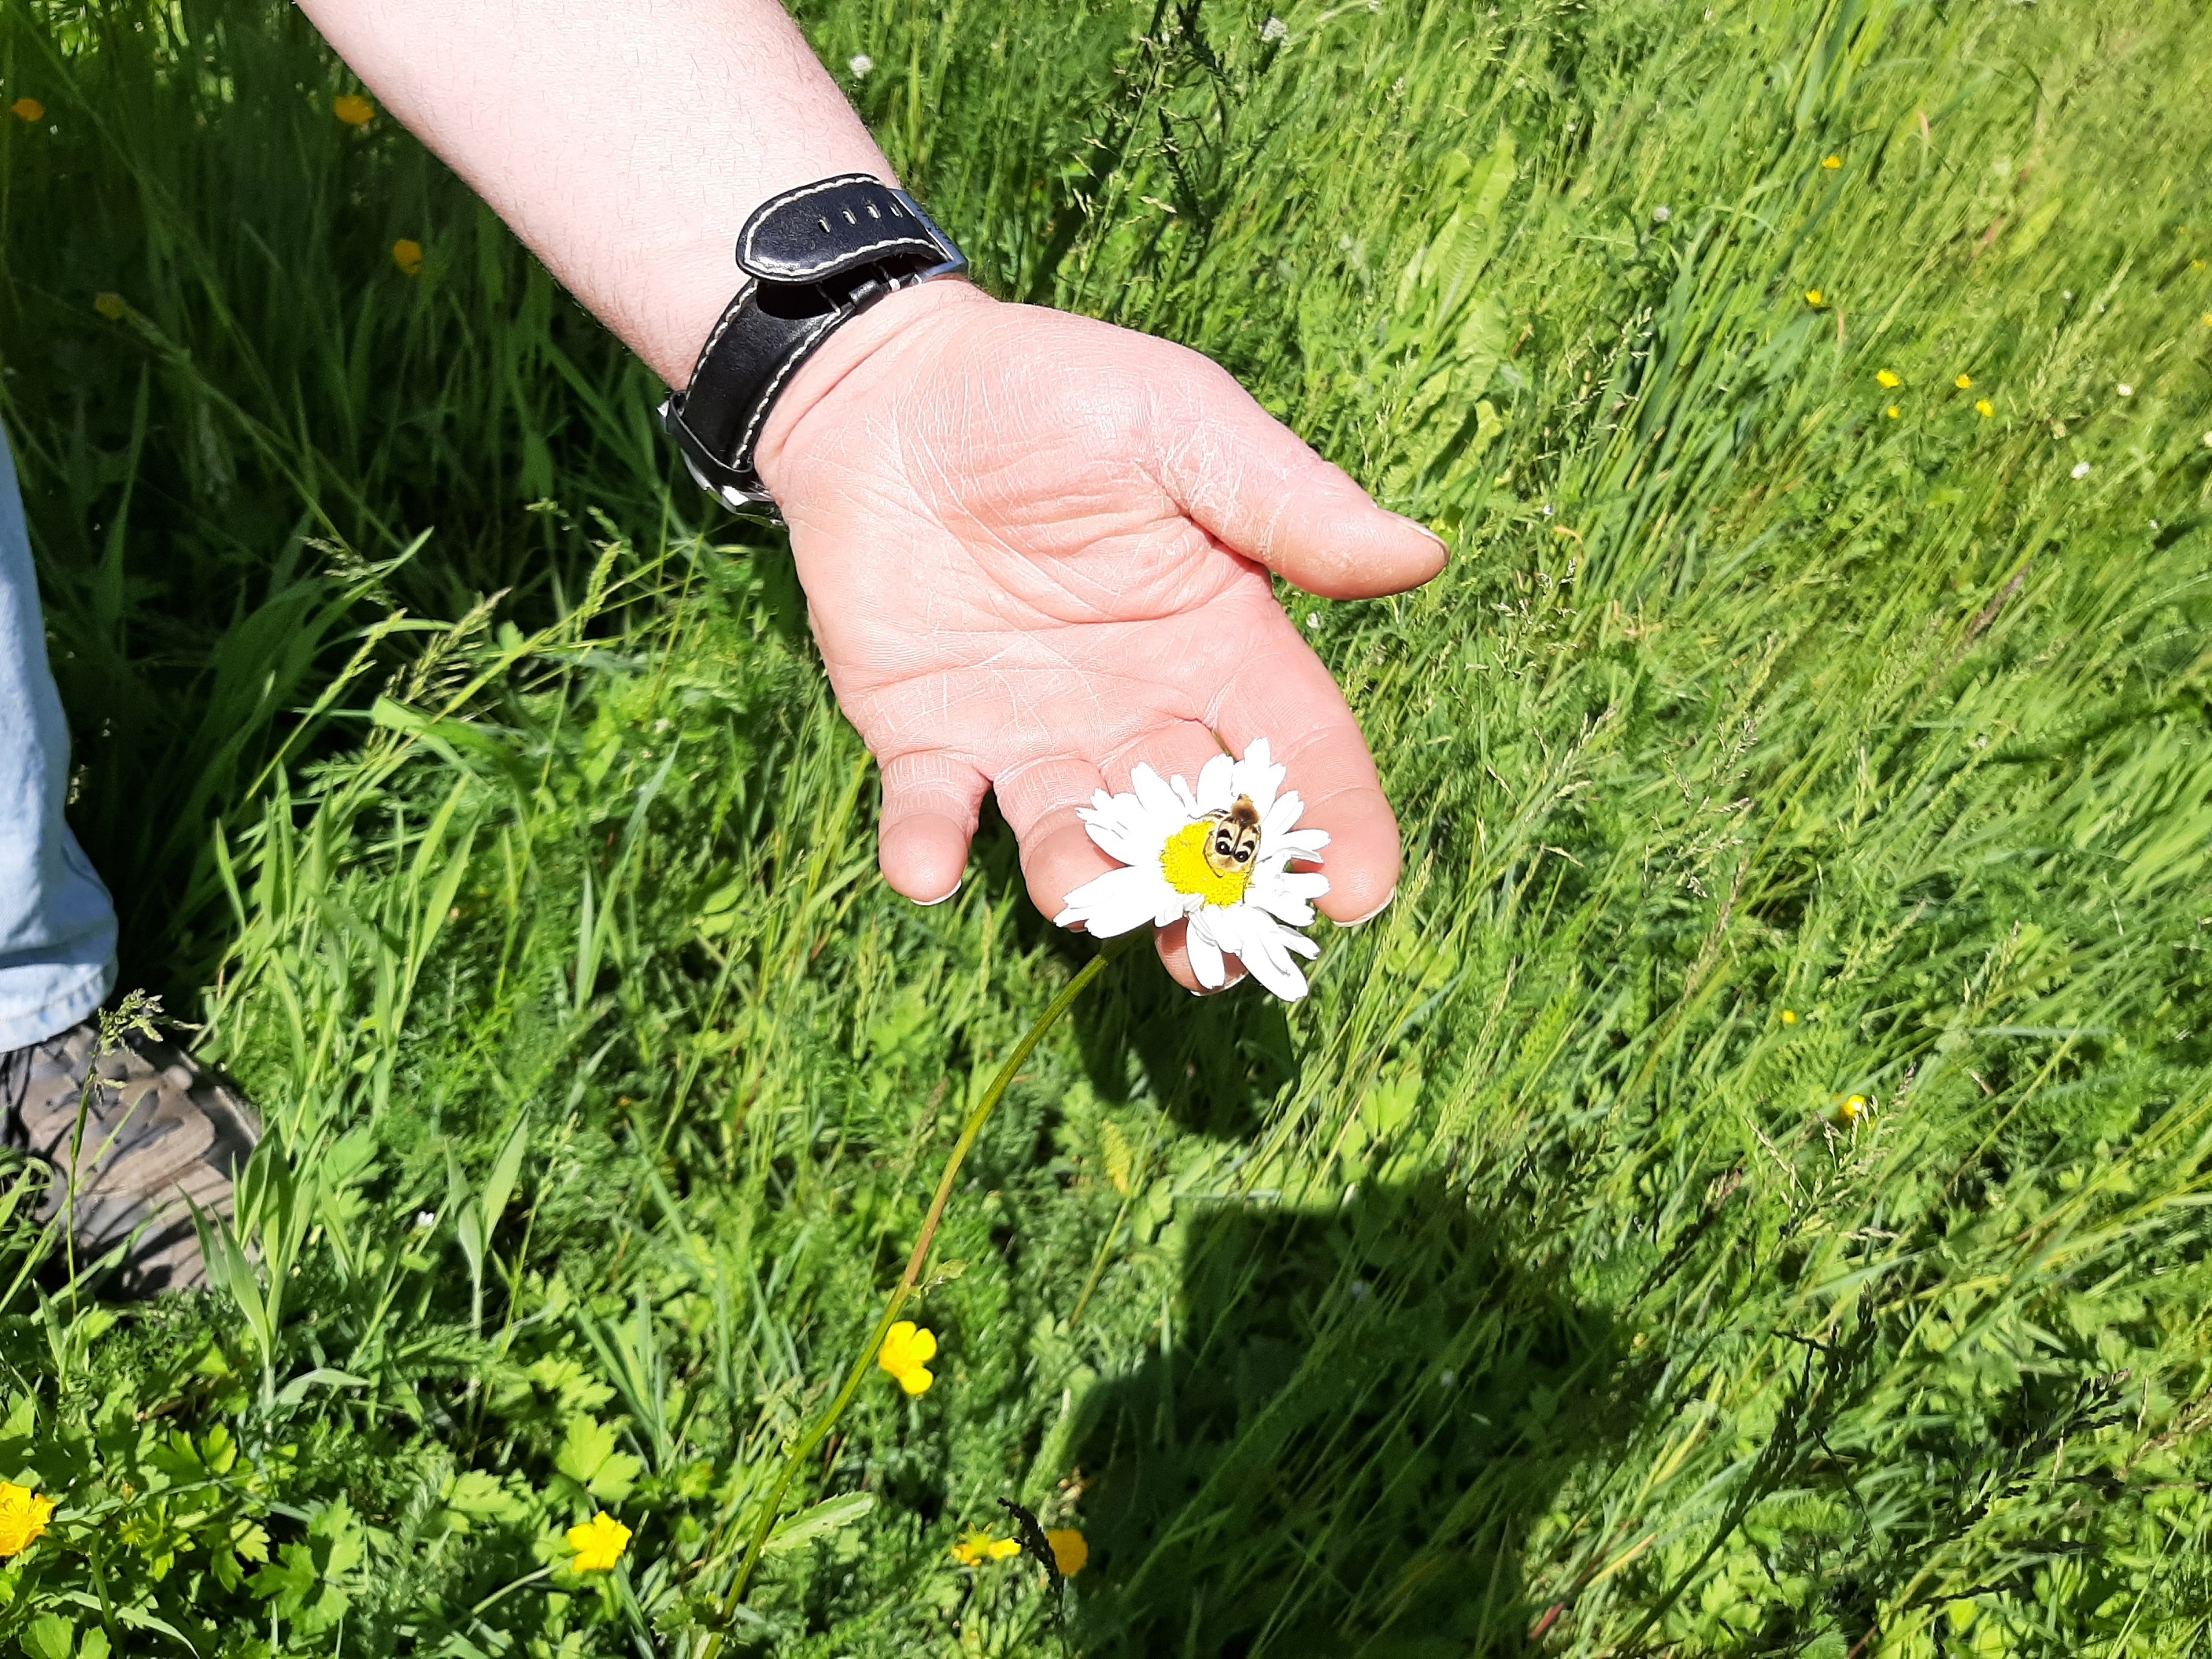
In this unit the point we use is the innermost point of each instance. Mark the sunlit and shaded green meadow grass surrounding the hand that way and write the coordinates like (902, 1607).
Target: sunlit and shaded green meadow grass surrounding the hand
(1521, 1291)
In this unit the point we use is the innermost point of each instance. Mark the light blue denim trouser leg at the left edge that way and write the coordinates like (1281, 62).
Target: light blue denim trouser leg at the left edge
(56, 921)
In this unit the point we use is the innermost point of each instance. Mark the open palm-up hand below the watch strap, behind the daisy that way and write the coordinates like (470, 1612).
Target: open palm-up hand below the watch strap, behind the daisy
(1036, 552)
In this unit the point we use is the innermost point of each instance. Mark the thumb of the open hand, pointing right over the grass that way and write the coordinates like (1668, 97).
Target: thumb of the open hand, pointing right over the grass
(1255, 486)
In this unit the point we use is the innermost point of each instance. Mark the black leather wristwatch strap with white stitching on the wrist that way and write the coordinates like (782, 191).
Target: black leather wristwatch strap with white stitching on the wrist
(813, 258)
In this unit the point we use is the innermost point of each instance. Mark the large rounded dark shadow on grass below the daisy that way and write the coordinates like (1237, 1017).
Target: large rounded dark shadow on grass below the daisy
(1346, 1441)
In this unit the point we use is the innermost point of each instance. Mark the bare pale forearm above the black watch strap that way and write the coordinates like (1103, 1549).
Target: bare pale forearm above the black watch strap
(625, 140)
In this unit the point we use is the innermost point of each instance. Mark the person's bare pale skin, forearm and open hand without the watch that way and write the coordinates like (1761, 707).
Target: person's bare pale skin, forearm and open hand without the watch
(1036, 547)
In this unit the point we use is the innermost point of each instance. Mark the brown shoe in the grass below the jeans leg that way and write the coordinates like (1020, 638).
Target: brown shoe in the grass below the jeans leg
(158, 1131)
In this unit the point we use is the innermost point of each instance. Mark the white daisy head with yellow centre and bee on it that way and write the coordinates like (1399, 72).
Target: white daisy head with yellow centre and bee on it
(1215, 857)
